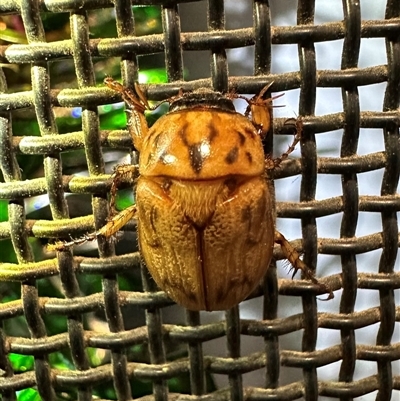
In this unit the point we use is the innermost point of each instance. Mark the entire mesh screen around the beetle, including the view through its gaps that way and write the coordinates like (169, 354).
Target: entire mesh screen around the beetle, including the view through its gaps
(89, 322)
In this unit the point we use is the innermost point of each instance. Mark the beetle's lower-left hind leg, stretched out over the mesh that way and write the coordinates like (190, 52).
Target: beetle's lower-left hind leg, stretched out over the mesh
(111, 228)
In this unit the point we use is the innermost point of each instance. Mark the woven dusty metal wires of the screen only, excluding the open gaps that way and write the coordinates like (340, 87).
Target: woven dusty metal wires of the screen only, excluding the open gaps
(96, 320)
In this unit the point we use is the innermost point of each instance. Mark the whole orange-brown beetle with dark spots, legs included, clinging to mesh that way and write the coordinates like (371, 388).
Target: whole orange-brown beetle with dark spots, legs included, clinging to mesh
(204, 205)
